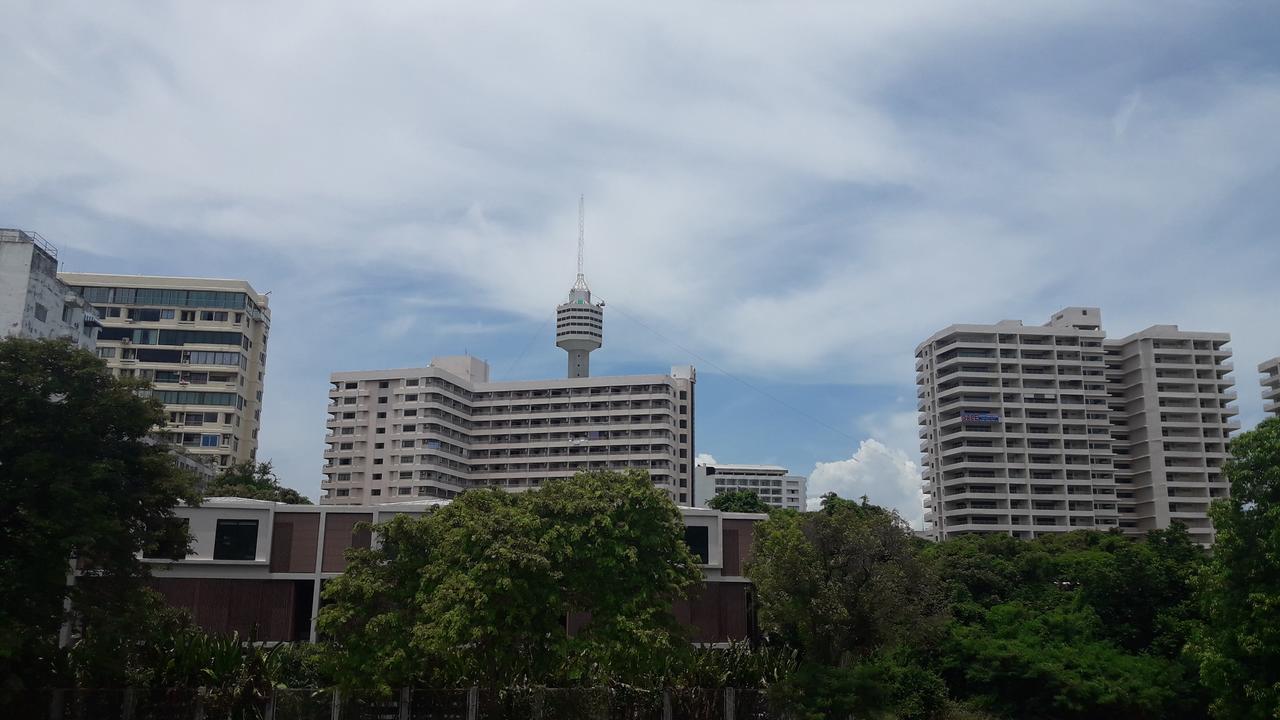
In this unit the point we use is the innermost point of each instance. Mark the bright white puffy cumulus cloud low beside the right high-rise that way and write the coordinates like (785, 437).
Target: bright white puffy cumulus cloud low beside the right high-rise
(886, 477)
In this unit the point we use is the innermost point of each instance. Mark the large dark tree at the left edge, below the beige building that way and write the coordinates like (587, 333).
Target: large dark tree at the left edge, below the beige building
(77, 480)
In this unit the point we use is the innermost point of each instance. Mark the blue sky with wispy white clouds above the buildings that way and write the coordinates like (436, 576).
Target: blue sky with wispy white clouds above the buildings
(788, 197)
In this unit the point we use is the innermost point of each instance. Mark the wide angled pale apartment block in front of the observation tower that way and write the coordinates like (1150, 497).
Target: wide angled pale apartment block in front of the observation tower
(437, 431)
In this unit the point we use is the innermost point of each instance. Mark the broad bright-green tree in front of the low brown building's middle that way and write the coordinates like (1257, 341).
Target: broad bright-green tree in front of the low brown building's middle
(481, 591)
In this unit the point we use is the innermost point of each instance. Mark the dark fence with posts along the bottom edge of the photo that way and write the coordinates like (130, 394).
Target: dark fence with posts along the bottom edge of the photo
(470, 704)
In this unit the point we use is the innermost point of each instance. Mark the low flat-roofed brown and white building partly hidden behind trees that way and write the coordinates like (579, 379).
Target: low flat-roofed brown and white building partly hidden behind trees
(258, 568)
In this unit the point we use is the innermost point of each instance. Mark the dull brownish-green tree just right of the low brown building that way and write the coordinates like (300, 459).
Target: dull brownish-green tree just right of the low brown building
(851, 587)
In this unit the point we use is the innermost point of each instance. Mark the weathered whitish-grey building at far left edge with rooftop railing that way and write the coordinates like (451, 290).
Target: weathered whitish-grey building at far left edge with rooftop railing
(34, 303)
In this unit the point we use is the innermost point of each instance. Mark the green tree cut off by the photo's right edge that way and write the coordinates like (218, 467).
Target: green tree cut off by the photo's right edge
(1241, 587)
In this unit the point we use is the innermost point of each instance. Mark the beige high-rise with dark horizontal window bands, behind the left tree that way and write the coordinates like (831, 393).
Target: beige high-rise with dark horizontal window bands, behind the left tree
(200, 343)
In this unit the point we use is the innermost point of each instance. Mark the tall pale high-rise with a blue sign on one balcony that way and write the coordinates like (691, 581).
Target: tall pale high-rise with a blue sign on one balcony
(1052, 429)
